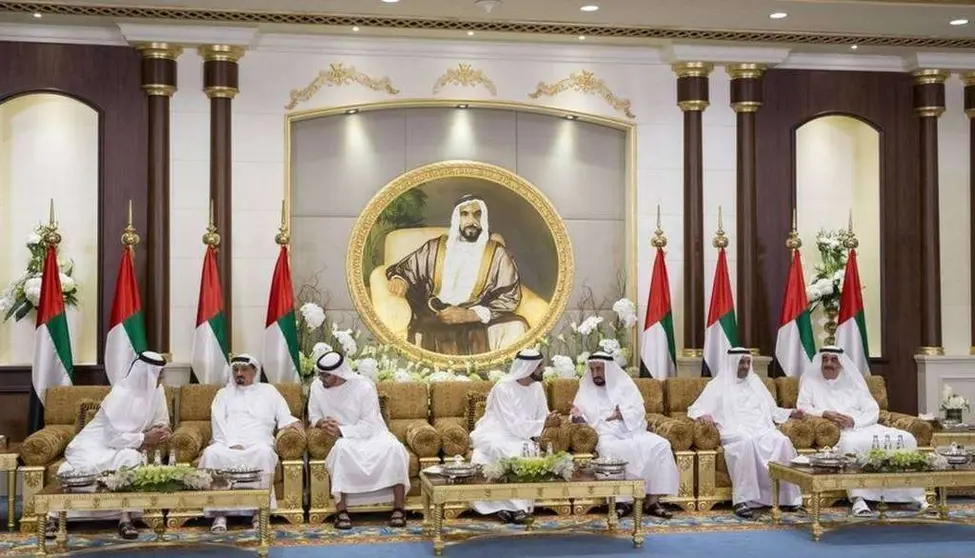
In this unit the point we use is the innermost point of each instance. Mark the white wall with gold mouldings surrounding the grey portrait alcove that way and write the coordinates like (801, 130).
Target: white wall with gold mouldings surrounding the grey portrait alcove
(279, 65)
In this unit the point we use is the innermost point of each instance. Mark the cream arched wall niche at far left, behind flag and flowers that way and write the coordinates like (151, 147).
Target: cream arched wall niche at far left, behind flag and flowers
(49, 150)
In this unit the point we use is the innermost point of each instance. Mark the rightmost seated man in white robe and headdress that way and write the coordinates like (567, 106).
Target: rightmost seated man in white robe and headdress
(832, 388)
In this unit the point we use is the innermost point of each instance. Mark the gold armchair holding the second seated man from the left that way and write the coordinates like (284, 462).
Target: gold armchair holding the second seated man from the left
(194, 433)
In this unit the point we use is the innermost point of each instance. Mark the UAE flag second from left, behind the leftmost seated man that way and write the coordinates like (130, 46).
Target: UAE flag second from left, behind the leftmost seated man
(127, 330)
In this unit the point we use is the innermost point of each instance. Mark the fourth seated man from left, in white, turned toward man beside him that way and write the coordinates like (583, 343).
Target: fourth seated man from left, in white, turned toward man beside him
(516, 414)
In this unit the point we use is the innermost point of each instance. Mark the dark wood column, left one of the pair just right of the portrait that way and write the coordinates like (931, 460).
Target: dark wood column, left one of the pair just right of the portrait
(692, 98)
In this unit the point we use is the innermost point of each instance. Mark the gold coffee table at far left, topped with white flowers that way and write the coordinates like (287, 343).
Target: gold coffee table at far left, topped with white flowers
(53, 499)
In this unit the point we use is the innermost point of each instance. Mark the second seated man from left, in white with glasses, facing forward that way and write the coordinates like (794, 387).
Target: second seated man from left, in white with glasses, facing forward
(244, 416)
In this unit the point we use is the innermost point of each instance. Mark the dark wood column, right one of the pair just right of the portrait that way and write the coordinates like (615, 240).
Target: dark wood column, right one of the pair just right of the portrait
(746, 98)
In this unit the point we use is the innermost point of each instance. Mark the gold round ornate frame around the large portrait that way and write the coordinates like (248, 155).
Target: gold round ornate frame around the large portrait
(458, 169)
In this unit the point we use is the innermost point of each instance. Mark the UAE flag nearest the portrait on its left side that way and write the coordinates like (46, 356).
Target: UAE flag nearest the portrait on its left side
(281, 363)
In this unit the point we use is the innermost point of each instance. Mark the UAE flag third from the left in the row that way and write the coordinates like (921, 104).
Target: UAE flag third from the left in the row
(210, 348)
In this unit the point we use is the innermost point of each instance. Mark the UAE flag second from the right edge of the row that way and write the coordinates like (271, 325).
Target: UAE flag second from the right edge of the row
(794, 345)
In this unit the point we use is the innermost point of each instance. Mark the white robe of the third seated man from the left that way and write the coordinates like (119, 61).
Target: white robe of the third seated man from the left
(367, 461)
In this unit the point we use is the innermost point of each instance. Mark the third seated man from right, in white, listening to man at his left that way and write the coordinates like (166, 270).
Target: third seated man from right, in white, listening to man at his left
(609, 401)
